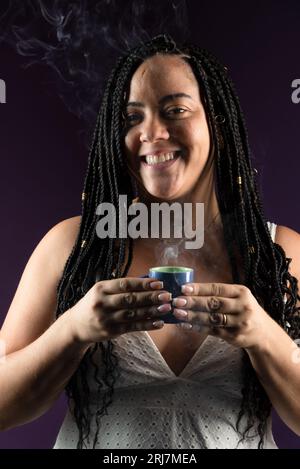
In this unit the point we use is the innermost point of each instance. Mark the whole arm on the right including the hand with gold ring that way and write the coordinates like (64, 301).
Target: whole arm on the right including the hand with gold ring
(231, 312)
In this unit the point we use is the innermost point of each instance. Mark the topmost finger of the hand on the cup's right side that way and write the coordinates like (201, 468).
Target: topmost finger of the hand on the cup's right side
(213, 289)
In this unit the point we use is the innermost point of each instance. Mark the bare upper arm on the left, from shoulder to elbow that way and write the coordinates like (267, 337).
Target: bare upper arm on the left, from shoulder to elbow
(34, 304)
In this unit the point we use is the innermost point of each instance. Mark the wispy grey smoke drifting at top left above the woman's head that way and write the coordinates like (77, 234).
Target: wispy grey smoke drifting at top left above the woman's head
(81, 40)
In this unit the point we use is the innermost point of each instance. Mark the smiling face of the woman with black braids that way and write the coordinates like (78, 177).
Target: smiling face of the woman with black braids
(165, 118)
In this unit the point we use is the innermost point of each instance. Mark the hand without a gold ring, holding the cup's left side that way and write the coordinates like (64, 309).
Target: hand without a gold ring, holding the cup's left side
(113, 307)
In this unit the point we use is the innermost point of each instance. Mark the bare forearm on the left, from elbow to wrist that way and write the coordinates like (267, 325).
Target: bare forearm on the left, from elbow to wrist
(33, 378)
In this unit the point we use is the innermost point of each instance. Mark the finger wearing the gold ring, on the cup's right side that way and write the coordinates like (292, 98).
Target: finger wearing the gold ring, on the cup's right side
(215, 319)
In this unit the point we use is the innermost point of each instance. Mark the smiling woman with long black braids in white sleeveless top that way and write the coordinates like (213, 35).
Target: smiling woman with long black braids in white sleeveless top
(132, 381)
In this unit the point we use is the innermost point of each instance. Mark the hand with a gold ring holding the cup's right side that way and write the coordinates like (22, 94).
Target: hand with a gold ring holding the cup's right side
(229, 311)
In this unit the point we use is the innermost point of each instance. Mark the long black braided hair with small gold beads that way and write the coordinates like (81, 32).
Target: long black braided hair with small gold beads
(255, 260)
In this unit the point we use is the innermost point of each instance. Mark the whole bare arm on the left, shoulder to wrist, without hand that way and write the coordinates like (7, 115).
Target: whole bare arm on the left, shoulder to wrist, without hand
(38, 354)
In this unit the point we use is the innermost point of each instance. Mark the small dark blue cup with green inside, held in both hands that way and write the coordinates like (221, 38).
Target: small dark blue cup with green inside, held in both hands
(173, 278)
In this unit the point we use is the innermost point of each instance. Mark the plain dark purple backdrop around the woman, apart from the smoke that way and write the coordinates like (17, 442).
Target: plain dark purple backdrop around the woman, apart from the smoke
(43, 158)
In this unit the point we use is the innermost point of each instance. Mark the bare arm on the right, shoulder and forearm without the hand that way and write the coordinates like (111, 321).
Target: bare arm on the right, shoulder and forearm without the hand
(277, 360)
